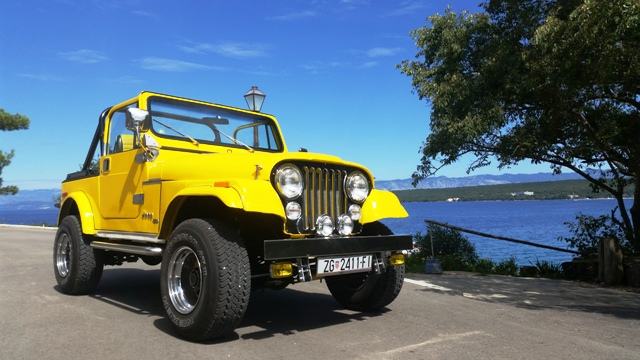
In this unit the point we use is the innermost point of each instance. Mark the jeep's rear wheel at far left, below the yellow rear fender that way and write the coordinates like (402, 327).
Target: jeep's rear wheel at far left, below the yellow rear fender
(76, 265)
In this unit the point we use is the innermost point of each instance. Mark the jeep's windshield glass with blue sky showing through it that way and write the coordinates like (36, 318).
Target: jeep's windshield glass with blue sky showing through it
(206, 124)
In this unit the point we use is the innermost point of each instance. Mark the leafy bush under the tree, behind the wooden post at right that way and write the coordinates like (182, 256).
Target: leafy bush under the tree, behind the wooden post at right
(587, 232)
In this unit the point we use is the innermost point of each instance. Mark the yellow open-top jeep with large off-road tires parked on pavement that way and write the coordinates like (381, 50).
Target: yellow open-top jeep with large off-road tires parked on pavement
(212, 193)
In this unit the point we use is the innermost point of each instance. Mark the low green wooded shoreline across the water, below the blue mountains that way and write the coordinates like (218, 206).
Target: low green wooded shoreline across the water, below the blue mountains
(542, 191)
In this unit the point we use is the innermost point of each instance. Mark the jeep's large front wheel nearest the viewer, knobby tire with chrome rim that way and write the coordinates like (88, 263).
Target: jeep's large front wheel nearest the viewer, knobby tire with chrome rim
(205, 279)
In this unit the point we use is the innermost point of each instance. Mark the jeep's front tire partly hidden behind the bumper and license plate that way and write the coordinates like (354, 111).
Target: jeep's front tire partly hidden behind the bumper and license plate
(368, 291)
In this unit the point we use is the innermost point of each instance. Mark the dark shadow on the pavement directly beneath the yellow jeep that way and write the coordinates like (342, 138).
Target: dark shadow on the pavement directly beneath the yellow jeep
(270, 312)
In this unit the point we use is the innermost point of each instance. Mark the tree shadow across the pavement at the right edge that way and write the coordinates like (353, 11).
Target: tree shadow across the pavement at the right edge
(533, 293)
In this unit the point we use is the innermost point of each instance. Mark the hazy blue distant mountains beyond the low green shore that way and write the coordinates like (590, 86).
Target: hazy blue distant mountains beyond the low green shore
(439, 182)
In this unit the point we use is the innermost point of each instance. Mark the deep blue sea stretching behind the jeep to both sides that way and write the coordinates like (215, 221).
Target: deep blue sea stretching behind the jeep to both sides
(541, 221)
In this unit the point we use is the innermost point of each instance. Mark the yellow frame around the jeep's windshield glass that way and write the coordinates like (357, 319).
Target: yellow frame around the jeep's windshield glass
(264, 118)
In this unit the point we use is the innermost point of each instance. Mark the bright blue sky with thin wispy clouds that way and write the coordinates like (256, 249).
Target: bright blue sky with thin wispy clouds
(328, 69)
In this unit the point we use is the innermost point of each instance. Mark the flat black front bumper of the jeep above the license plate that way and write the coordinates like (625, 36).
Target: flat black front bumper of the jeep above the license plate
(347, 245)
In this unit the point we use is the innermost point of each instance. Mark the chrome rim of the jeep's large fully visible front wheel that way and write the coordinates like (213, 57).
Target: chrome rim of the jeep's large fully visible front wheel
(184, 280)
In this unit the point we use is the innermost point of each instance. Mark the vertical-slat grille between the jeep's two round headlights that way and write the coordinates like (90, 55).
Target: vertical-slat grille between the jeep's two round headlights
(323, 194)
